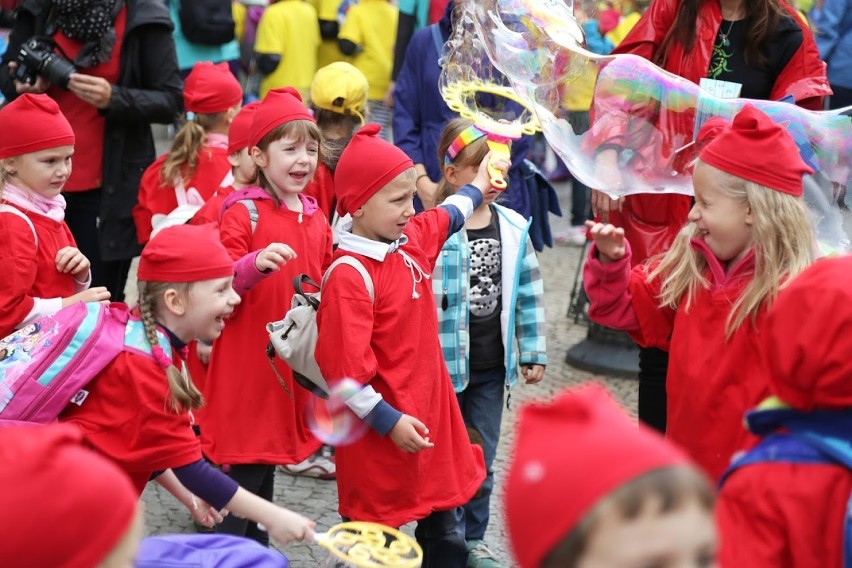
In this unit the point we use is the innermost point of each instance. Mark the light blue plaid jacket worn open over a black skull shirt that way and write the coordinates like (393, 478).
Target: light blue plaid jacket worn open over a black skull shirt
(522, 316)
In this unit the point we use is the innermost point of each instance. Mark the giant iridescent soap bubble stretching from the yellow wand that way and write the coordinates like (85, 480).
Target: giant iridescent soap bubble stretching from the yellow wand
(530, 51)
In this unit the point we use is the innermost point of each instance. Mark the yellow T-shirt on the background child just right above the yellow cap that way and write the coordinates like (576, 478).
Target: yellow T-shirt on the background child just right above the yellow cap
(372, 24)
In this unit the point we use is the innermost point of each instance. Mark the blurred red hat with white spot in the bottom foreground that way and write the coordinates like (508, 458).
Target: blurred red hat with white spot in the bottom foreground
(549, 491)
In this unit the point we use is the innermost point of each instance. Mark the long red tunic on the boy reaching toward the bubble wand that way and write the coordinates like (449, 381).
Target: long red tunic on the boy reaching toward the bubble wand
(393, 345)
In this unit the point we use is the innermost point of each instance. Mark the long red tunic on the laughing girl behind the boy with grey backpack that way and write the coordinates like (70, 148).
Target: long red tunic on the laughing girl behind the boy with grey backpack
(249, 418)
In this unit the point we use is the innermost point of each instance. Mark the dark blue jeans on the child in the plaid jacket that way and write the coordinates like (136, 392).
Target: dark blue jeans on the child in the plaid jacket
(481, 404)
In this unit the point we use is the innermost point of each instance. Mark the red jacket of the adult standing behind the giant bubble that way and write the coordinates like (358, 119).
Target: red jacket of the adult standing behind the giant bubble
(651, 221)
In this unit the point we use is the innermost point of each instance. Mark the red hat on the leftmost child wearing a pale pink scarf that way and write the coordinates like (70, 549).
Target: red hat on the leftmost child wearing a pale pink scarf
(31, 123)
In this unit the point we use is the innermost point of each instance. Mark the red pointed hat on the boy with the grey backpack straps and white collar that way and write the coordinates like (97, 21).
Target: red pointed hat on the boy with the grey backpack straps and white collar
(366, 165)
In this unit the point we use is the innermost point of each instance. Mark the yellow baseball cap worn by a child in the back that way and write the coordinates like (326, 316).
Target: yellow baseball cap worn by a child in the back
(340, 87)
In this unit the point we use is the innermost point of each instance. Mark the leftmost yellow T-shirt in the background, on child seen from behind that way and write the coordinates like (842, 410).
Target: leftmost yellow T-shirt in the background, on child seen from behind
(289, 28)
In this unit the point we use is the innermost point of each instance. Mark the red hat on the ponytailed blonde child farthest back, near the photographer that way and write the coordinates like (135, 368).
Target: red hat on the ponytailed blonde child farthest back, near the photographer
(210, 88)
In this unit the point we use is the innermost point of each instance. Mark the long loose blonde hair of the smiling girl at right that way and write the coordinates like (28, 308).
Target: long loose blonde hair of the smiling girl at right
(783, 246)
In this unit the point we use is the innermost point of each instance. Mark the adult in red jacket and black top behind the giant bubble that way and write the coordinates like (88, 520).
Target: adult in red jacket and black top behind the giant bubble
(760, 44)
